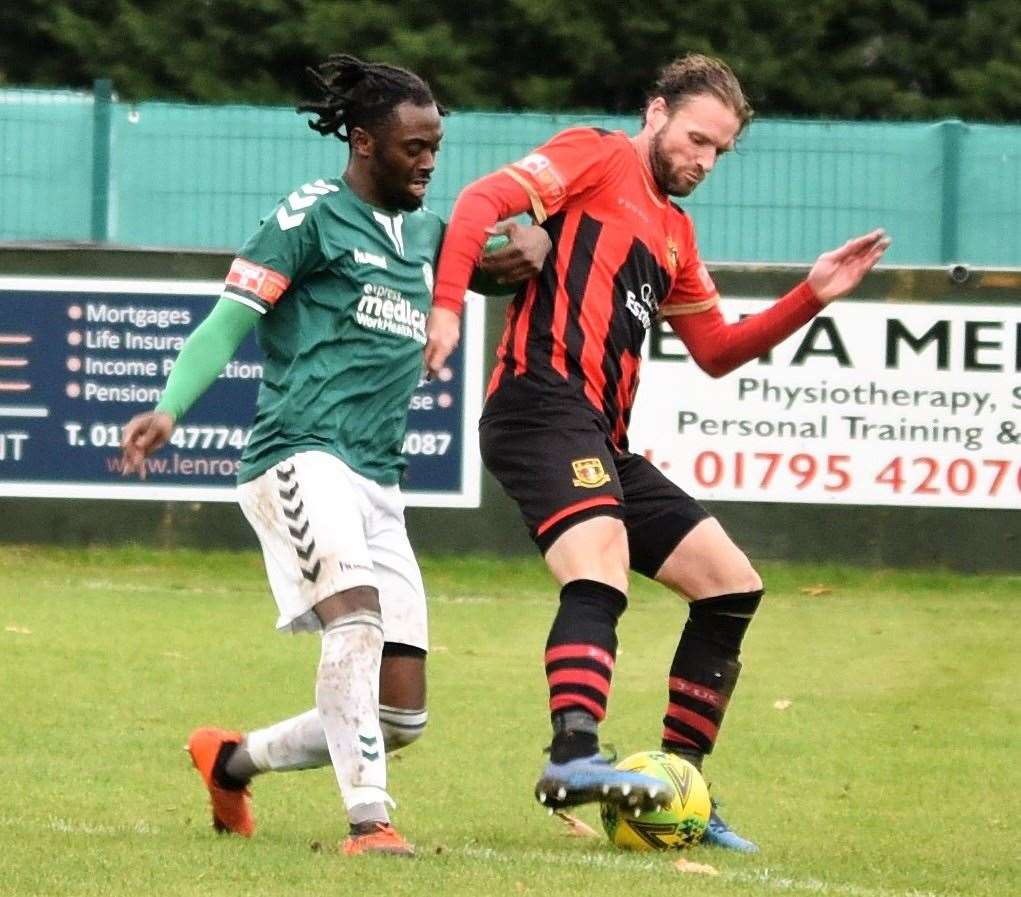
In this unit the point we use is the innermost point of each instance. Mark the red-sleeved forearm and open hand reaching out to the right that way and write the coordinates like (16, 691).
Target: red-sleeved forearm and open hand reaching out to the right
(719, 347)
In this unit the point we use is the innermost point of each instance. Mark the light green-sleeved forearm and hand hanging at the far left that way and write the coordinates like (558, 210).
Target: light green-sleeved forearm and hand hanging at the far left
(203, 358)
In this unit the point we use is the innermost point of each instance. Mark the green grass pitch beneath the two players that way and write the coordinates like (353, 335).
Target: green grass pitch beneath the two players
(872, 750)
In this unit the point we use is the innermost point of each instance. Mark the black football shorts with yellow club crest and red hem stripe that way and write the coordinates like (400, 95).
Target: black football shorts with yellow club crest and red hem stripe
(562, 472)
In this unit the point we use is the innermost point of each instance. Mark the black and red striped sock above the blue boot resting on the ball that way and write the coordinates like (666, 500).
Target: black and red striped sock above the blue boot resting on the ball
(580, 655)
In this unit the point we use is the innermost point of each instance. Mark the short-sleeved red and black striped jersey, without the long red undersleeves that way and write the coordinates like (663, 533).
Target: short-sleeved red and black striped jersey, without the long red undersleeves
(623, 257)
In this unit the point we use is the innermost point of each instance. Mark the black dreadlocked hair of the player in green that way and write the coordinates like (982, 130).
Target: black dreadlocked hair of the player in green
(357, 94)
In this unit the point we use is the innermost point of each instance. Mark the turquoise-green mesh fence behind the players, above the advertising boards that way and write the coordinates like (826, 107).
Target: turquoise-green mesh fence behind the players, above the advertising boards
(86, 167)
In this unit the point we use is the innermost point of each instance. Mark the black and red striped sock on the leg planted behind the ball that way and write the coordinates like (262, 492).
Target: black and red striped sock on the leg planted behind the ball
(705, 673)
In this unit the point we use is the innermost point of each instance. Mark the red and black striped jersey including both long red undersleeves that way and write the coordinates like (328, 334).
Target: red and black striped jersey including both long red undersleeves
(623, 256)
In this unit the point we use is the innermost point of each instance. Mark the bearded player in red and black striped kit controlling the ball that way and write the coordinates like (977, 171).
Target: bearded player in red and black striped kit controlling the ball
(555, 427)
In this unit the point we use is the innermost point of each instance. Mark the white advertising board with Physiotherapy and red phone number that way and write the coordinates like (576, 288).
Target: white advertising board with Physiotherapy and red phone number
(873, 404)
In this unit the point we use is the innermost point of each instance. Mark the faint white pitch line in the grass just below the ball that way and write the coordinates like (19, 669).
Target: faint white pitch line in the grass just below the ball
(623, 863)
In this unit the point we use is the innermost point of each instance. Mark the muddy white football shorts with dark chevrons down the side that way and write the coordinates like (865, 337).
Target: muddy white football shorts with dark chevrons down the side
(325, 529)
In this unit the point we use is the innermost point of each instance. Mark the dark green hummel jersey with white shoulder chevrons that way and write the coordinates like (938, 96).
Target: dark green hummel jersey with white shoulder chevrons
(345, 290)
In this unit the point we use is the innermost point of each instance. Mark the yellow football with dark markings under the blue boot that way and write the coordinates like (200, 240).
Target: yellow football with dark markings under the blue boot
(679, 825)
